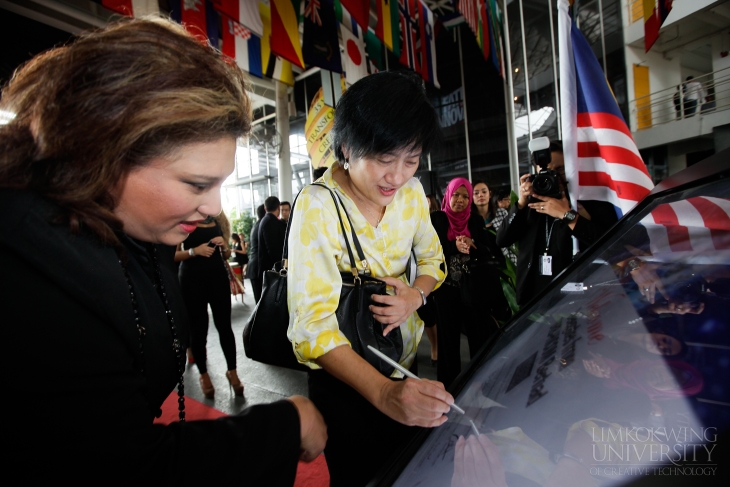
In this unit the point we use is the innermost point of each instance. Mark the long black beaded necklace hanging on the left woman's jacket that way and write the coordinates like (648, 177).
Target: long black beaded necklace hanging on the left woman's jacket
(176, 345)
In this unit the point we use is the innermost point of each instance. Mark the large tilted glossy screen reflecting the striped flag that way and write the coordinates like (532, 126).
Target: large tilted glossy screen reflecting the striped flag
(619, 371)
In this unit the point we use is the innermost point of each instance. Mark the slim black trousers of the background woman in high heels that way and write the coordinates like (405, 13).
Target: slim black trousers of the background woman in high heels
(198, 293)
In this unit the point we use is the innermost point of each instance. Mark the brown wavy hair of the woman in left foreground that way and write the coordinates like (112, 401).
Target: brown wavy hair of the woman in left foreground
(89, 112)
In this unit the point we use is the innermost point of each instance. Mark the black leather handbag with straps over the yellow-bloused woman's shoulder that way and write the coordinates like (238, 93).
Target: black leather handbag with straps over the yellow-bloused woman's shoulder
(264, 336)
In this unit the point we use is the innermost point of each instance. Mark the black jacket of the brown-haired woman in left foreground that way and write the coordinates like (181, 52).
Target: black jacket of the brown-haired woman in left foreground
(89, 394)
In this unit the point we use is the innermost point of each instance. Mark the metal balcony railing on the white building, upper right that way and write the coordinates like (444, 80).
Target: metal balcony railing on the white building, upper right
(702, 95)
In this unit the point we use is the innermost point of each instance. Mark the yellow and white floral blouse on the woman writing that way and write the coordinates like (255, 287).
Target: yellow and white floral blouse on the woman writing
(317, 254)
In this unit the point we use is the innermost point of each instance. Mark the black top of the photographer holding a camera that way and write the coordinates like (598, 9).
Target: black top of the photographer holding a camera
(528, 228)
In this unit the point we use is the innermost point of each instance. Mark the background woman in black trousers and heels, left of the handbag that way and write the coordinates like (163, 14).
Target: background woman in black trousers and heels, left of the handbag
(204, 281)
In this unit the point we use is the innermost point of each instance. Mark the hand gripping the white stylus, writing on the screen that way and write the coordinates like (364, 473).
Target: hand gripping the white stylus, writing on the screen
(415, 402)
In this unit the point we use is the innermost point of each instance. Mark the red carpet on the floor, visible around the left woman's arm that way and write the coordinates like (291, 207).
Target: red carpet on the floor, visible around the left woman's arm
(313, 474)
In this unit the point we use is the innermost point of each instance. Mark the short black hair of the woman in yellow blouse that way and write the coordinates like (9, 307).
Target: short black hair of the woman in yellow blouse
(383, 113)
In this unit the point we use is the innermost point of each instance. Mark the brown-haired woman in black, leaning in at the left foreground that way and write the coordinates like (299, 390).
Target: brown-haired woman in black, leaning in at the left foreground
(120, 145)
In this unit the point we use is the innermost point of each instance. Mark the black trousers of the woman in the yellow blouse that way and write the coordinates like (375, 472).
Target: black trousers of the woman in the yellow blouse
(361, 439)
